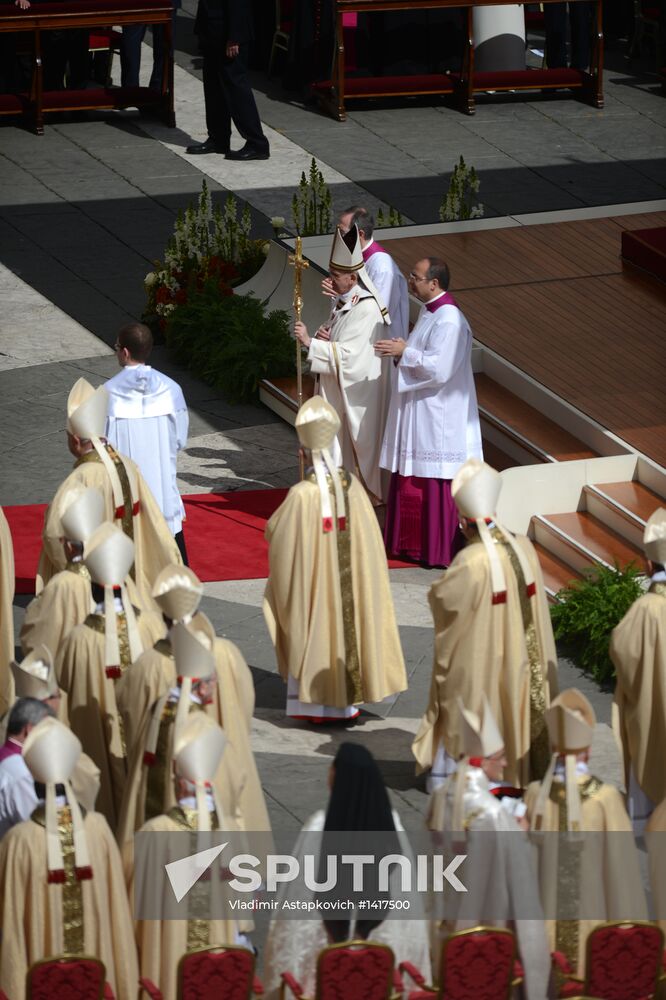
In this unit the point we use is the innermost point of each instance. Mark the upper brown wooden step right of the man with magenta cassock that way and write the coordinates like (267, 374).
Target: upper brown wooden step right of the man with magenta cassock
(543, 437)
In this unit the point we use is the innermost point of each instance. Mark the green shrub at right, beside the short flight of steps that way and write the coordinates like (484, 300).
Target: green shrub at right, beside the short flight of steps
(587, 612)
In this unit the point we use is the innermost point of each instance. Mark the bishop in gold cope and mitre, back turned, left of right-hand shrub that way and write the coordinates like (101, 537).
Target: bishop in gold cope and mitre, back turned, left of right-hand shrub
(493, 636)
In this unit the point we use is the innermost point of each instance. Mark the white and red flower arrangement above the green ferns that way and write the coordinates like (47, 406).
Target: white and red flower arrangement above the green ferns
(207, 243)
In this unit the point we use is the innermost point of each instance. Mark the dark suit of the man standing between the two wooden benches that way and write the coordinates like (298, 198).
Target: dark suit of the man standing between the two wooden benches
(227, 90)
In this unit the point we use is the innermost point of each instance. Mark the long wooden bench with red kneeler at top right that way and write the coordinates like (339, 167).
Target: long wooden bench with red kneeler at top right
(334, 93)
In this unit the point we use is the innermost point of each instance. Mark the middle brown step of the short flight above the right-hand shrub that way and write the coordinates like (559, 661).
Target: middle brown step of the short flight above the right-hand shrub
(581, 540)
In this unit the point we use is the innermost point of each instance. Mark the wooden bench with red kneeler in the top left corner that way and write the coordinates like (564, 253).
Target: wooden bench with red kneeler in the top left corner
(85, 14)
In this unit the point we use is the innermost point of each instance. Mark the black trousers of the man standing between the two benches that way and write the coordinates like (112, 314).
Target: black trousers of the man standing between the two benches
(229, 96)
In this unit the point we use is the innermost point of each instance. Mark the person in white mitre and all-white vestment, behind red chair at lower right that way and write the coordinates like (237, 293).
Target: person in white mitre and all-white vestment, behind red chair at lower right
(499, 874)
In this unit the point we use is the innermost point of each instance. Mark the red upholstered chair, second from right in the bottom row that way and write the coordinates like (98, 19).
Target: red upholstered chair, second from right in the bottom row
(479, 963)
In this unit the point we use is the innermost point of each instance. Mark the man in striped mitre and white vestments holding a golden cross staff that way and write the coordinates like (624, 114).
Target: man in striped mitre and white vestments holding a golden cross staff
(351, 377)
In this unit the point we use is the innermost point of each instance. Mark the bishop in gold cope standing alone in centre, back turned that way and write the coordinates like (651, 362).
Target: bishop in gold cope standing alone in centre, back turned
(328, 604)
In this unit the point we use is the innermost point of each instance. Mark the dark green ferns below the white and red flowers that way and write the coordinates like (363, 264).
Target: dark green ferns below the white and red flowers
(230, 342)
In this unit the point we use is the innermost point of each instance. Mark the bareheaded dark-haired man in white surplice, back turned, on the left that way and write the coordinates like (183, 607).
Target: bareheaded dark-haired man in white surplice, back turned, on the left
(148, 419)
